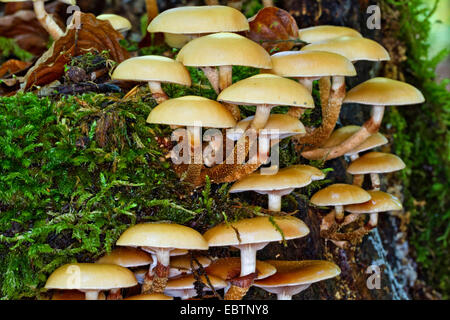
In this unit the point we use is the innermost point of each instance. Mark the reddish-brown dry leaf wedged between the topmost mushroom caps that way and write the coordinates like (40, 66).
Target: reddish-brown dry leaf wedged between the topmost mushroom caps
(270, 26)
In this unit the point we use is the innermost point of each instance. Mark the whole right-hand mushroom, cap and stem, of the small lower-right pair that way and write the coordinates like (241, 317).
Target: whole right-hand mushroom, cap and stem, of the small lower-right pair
(379, 202)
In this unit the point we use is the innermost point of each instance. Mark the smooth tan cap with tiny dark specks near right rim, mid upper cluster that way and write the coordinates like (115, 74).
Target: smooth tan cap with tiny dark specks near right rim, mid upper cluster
(267, 89)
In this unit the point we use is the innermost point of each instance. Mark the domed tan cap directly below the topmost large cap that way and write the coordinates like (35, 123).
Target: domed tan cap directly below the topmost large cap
(224, 49)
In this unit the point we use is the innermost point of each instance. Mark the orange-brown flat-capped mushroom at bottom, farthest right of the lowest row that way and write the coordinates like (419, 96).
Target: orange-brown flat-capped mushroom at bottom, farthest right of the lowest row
(293, 277)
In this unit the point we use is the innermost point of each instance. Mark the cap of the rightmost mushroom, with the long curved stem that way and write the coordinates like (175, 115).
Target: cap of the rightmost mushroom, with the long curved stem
(384, 91)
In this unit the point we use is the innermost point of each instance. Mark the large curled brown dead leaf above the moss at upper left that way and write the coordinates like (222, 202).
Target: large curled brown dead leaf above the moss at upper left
(93, 35)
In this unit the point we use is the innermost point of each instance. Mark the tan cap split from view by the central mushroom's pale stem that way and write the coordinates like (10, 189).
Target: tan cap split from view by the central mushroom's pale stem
(283, 124)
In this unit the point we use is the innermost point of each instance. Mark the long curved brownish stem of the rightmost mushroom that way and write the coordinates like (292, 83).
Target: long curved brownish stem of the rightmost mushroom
(370, 127)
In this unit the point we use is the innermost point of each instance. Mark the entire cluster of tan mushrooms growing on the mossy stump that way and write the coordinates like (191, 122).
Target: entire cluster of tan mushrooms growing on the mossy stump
(163, 260)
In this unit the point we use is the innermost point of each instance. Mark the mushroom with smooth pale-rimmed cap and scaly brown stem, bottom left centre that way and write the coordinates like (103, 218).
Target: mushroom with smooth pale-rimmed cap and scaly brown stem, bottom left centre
(160, 239)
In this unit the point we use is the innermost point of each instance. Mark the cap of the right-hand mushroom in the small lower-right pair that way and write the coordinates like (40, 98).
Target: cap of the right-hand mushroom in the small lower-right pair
(380, 202)
